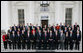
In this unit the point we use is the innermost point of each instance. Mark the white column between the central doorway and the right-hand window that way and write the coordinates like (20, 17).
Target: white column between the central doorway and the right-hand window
(58, 11)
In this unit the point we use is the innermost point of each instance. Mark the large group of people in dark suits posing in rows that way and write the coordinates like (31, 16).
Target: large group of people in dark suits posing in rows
(43, 37)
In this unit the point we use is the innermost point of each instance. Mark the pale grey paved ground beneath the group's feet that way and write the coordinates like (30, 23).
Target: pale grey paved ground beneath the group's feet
(25, 50)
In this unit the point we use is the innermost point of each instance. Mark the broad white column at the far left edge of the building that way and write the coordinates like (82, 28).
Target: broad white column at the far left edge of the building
(4, 15)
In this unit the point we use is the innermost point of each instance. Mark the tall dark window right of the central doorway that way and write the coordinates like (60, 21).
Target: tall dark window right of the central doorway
(68, 17)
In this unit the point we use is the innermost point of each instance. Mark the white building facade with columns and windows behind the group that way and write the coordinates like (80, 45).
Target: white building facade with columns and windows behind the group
(33, 12)
